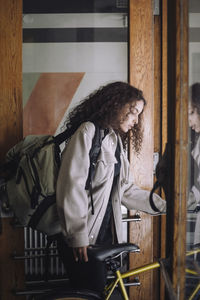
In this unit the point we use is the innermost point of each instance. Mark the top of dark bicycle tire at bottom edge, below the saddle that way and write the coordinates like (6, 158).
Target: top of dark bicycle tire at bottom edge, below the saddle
(72, 295)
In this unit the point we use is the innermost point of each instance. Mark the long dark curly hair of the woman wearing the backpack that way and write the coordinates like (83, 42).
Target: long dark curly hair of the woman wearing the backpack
(103, 106)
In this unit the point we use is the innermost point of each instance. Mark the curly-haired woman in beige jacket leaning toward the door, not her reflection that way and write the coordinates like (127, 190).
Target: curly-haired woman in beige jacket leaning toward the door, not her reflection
(117, 108)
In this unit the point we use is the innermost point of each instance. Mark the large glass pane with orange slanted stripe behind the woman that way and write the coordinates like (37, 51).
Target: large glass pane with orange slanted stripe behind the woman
(70, 48)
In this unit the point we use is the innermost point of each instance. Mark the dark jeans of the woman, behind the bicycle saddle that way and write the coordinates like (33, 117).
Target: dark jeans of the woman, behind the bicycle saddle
(88, 275)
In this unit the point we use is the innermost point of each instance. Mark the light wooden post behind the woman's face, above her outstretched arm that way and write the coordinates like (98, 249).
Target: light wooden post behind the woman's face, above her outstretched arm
(141, 76)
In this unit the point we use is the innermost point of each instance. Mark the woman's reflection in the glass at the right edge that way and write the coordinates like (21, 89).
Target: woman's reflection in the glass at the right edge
(194, 123)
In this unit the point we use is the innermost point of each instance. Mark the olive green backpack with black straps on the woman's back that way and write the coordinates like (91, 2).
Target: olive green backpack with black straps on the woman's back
(29, 190)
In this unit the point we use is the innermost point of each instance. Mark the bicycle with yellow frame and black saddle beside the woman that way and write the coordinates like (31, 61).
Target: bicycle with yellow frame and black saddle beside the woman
(109, 255)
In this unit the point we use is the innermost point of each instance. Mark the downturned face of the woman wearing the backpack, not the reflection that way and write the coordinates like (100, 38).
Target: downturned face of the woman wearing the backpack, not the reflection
(129, 115)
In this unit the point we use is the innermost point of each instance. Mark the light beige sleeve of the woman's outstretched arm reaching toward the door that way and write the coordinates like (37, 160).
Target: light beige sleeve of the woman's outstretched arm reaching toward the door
(138, 199)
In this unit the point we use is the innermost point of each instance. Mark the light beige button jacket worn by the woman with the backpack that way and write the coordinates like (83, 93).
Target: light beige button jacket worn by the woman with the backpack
(79, 226)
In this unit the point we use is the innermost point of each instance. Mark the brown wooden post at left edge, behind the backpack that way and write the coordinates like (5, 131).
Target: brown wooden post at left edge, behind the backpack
(11, 273)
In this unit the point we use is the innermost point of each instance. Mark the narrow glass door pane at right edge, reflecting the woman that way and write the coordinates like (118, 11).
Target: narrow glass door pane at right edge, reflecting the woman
(193, 216)
